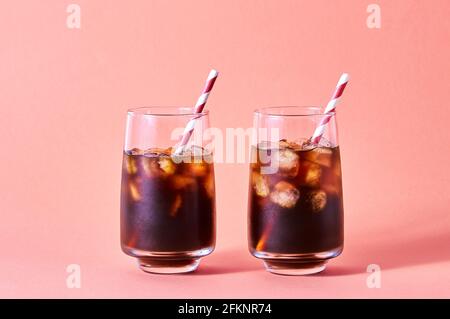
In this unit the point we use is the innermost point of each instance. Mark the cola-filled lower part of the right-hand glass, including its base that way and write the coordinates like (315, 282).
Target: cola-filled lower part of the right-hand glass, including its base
(295, 212)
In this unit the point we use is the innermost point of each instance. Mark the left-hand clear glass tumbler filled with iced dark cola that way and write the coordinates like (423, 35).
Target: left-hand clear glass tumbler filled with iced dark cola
(167, 199)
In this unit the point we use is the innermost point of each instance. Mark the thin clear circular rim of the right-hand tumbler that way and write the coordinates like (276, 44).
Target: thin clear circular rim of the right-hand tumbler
(292, 111)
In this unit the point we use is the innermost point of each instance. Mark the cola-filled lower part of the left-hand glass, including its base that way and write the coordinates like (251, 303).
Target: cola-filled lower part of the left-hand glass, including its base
(167, 209)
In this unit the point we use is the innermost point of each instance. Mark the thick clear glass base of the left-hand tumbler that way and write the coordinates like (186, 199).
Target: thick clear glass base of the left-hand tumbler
(158, 266)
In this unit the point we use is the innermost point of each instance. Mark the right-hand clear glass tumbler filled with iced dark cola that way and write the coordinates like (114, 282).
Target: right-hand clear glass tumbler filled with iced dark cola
(295, 215)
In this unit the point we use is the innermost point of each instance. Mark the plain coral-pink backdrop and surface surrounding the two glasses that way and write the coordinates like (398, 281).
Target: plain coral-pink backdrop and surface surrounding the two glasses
(64, 94)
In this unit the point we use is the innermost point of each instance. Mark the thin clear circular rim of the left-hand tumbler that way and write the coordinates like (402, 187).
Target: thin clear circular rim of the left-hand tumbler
(165, 111)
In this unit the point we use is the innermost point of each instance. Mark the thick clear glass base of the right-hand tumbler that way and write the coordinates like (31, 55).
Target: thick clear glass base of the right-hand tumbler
(294, 268)
